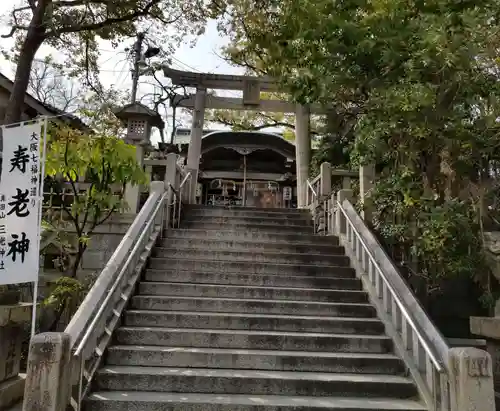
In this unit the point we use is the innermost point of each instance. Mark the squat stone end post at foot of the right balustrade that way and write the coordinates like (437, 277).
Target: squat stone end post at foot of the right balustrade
(472, 380)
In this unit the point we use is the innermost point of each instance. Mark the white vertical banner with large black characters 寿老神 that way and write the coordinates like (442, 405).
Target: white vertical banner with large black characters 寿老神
(20, 204)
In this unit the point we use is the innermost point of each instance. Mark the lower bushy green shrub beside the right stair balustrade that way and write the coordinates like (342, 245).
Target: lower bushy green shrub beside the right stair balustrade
(439, 240)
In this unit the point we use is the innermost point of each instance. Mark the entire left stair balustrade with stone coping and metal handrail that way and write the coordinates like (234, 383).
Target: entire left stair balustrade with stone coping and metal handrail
(92, 326)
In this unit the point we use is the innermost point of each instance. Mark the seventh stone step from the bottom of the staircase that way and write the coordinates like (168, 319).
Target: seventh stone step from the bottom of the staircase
(257, 292)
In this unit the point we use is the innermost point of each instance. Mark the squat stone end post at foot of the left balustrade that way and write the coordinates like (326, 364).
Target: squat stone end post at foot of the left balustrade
(48, 379)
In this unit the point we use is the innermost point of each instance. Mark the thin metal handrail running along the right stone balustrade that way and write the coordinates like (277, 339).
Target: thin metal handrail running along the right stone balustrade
(439, 364)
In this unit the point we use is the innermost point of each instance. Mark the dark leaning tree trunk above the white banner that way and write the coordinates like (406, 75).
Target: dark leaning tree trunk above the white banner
(32, 42)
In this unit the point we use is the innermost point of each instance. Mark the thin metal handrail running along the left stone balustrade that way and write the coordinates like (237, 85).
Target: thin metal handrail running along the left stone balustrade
(118, 279)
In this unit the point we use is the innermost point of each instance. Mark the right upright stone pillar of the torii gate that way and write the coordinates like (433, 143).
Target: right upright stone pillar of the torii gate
(302, 152)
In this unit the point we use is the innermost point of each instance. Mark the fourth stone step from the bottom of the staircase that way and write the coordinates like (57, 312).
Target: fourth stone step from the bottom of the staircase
(257, 340)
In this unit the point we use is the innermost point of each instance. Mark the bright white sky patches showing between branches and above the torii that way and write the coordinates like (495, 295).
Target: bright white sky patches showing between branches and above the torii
(115, 69)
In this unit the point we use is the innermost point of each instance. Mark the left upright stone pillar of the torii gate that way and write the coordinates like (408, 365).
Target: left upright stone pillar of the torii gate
(194, 150)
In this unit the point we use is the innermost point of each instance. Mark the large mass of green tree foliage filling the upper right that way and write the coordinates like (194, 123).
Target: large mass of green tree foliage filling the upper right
(414, 88)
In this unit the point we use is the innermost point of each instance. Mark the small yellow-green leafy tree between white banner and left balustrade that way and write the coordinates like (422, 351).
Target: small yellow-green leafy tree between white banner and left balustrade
(106, 164)
